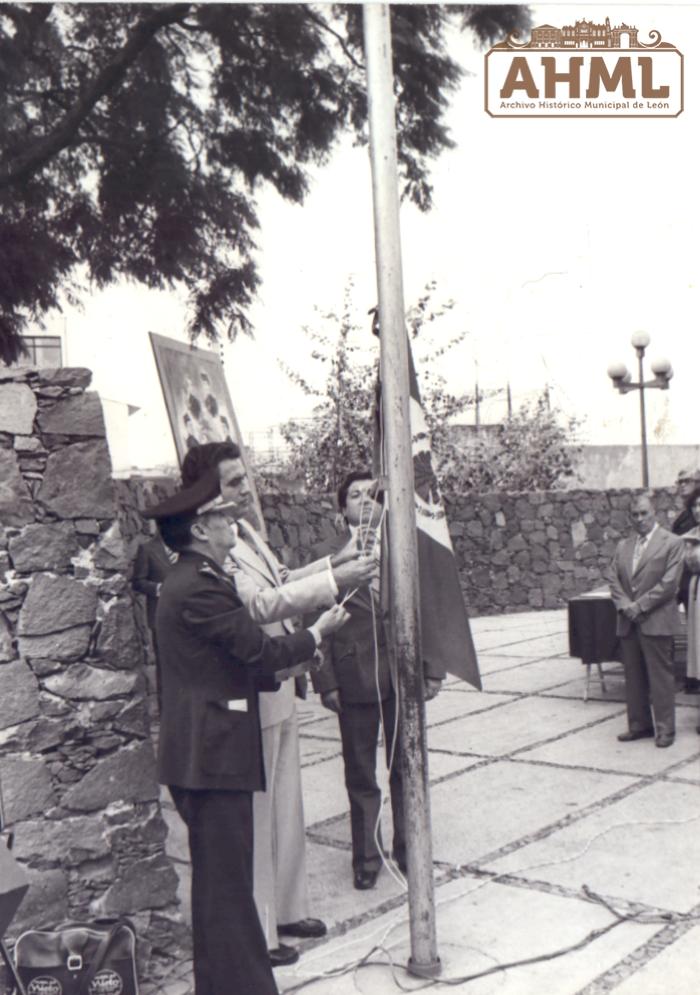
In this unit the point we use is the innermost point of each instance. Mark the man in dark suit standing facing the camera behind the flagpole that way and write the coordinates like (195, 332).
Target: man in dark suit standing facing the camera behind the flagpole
(356, 682)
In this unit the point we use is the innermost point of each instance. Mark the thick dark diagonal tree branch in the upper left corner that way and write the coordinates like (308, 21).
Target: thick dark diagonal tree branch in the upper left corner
(22, 166)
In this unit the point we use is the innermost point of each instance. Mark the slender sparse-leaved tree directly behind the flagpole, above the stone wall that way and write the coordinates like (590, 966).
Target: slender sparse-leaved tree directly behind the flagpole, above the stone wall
(340, 434)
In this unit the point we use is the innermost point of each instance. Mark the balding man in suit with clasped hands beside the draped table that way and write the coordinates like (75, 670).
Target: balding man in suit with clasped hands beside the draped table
(646, 572)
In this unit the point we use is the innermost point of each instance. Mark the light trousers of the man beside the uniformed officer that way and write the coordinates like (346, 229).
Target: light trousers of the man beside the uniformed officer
(279, 869)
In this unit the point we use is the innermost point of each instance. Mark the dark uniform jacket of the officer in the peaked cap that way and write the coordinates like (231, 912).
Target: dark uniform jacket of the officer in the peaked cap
(214, 658)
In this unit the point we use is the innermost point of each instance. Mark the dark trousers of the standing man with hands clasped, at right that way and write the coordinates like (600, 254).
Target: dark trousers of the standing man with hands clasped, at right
(649, 682)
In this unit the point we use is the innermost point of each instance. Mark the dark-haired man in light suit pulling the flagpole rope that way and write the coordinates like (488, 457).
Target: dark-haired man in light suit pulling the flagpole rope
(274, 596)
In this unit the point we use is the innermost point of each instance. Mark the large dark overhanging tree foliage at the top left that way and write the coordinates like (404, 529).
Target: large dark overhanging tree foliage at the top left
(134, 137)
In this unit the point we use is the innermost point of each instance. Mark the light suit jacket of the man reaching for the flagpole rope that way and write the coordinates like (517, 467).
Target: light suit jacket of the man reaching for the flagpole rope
(274, 605)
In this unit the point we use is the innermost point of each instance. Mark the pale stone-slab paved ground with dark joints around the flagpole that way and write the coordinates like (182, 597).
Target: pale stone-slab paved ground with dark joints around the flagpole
(532, 799)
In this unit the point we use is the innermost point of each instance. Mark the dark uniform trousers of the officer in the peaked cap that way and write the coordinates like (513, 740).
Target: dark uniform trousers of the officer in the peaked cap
(230, 953)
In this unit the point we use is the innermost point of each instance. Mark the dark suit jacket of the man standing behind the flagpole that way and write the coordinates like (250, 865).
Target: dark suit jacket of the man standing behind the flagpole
(351, 663)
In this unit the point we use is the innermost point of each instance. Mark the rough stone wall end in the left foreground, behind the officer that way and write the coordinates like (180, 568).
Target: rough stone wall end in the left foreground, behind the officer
(76, 759)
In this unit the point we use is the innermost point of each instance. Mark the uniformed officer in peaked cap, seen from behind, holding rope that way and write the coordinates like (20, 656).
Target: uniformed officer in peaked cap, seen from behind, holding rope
(214, 660)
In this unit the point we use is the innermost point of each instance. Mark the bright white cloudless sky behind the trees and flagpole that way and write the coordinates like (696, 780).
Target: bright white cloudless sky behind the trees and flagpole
(557, 239)
